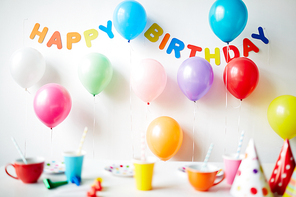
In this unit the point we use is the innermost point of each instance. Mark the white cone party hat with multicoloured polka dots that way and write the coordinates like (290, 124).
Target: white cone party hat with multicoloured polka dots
(250, 180)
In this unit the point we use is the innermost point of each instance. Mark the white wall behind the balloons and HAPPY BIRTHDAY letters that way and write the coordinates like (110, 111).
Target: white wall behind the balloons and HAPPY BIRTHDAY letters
(120, 116)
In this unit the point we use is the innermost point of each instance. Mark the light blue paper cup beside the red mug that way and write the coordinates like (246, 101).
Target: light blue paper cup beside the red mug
(73, 164)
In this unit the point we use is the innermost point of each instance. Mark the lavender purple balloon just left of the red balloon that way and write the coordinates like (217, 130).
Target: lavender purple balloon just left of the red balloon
(195, 77)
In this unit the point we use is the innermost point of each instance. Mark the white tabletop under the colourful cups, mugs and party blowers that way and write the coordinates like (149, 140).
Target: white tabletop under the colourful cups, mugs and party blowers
(167, 181)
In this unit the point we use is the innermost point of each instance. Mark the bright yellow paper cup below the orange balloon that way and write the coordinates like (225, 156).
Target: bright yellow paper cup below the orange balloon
(143, 174)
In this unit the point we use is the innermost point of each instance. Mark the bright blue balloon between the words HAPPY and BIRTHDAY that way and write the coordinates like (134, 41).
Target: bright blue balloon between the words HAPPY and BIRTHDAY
(129, 19)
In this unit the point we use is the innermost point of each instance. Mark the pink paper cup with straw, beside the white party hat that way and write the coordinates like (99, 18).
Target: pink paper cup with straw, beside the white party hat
(231, 164)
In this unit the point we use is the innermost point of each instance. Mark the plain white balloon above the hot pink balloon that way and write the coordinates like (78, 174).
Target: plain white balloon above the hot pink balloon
(27, 66)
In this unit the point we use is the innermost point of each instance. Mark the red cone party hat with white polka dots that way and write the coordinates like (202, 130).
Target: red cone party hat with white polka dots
(283, 170)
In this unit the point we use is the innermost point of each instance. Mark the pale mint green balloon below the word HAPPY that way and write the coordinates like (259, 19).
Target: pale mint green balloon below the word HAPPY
(95, 72)
